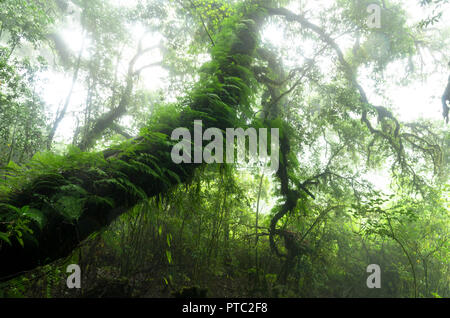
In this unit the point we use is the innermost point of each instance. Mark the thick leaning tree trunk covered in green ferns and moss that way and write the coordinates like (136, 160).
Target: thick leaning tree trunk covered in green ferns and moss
(53, 203)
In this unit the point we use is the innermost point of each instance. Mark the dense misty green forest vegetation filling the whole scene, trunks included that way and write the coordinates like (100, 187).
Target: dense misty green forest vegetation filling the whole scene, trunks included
(356, 184)
